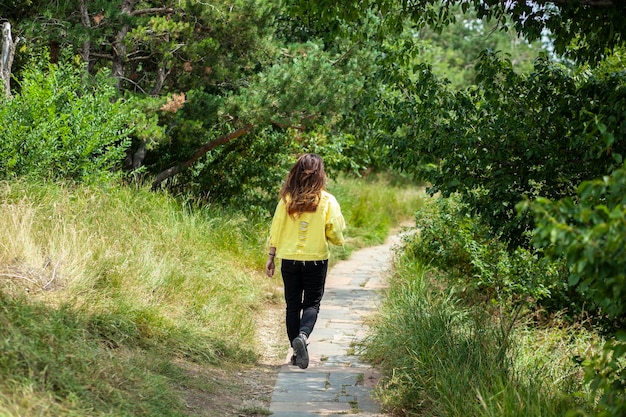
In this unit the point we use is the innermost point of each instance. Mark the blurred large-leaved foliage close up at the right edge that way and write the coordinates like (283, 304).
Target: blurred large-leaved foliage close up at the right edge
(588, 232)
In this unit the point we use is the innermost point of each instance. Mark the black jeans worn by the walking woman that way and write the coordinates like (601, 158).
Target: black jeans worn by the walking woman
(304, 287)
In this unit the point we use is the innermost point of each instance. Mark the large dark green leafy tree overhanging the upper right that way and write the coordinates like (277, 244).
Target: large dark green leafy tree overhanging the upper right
(513, 134)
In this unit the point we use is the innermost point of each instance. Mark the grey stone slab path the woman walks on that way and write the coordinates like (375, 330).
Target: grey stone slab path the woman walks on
(336, 383)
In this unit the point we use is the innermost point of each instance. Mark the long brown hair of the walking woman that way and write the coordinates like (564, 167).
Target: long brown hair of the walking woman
(304, 184)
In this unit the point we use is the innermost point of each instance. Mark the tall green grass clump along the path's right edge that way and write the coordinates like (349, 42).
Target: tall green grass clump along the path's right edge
(442, 358)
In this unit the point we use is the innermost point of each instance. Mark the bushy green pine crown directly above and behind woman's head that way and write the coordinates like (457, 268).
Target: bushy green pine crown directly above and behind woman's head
(298, 102)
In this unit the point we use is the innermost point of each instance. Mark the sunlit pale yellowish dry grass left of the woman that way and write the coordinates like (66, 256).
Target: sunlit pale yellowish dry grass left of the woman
(138, 250)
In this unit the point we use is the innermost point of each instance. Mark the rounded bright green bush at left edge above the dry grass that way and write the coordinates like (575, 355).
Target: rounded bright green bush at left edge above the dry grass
(62, 125)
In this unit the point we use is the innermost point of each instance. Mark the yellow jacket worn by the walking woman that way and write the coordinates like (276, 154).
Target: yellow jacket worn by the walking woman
(306, 237)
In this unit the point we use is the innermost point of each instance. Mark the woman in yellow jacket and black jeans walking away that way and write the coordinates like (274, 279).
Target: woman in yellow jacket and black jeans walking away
(307, 218)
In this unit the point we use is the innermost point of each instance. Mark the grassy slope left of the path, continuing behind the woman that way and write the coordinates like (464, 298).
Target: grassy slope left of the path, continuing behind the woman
(108, 296)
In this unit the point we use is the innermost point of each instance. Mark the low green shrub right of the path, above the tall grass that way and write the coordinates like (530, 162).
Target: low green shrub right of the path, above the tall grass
(464, 248)
